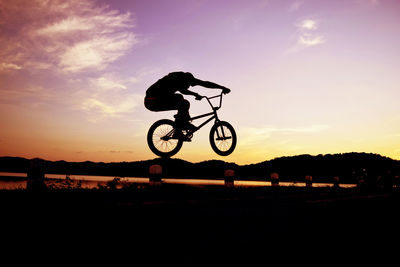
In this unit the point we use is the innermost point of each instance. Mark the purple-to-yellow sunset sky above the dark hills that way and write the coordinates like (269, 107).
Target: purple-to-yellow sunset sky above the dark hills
(307, 76)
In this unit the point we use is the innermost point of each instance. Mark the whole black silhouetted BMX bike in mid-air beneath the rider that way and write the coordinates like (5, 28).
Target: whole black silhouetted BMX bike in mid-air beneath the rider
(165, 139)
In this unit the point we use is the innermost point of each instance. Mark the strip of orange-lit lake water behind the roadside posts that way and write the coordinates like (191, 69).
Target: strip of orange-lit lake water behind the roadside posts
(17, 181)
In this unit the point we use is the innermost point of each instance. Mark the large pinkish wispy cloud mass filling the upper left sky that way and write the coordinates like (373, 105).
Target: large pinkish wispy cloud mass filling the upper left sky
(75, 42)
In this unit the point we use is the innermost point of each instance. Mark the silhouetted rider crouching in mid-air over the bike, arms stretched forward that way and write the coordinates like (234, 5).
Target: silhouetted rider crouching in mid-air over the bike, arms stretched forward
(162, 96)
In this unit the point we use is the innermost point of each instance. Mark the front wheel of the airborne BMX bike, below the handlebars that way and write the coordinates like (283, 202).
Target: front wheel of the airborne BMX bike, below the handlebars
(223, 138)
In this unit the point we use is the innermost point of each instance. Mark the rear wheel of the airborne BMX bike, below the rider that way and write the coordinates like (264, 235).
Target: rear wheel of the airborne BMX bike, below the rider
(161, 140)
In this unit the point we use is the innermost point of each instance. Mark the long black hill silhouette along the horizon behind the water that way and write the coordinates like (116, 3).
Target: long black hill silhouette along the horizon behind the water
(348, 166)
